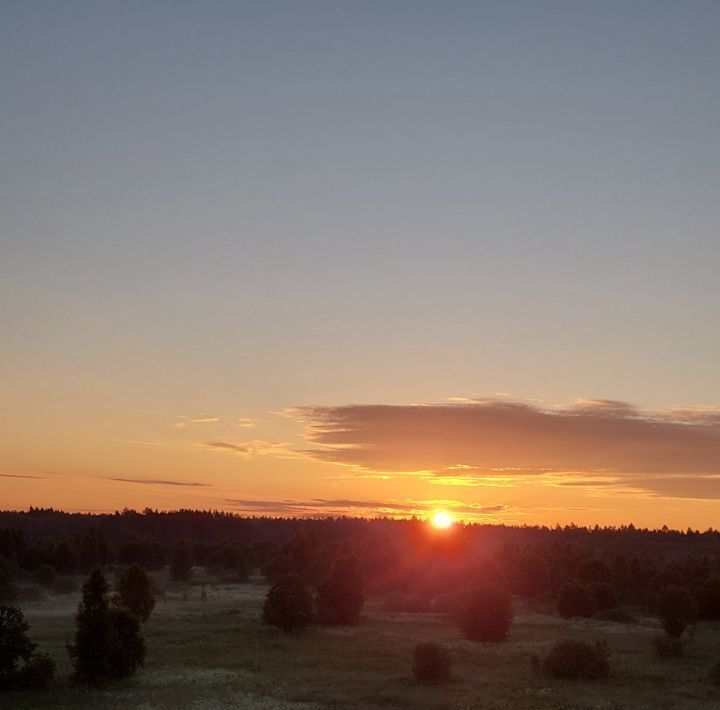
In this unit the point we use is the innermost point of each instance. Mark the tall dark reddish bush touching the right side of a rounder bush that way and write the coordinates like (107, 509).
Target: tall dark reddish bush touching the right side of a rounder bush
(340, 597)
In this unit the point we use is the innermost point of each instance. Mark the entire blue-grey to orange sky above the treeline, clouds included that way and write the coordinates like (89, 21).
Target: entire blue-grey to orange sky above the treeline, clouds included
(379, 258)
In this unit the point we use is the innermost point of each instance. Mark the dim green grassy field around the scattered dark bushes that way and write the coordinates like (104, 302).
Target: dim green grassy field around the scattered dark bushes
(215, 655)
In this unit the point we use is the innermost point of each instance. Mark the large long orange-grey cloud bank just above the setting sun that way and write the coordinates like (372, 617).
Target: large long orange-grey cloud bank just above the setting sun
(672, 452)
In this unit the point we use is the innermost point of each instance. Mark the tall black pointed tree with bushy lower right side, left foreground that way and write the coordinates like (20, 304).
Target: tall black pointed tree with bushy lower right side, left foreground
(108, 643)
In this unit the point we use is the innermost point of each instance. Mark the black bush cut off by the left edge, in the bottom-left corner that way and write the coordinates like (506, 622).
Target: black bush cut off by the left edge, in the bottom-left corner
(20, 666)
